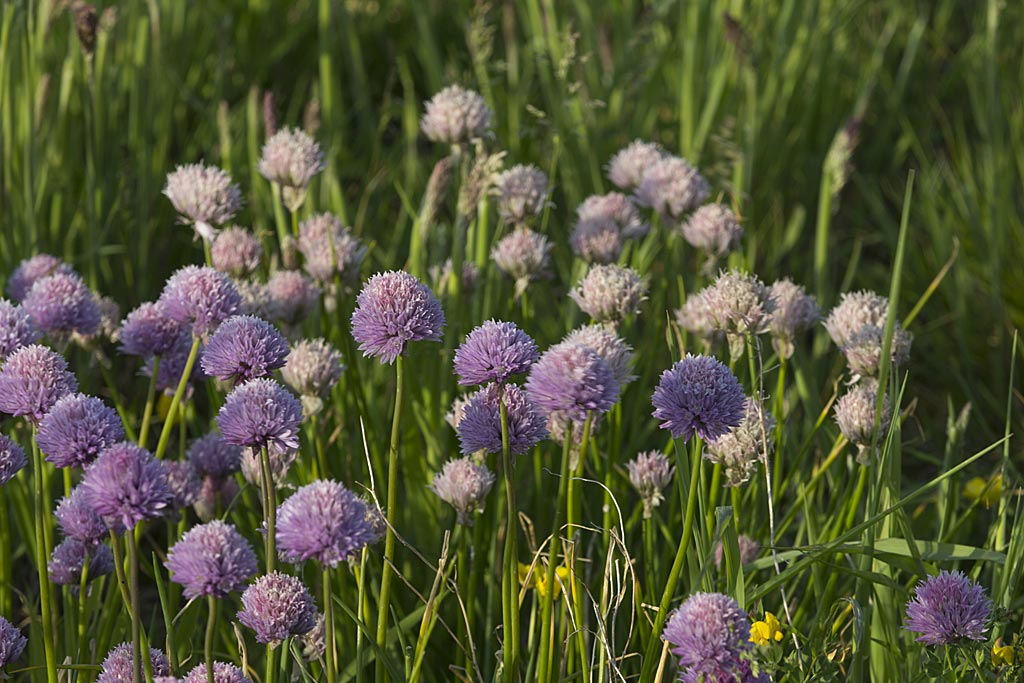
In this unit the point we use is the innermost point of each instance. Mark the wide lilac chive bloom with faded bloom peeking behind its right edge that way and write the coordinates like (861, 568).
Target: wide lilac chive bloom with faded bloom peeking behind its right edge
(323, 522)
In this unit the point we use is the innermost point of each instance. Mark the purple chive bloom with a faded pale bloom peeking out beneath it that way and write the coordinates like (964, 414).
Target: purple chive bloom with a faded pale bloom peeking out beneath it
(262, 414)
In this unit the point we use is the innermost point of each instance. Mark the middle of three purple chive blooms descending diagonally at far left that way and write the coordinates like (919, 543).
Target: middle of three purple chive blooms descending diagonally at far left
(77, 430)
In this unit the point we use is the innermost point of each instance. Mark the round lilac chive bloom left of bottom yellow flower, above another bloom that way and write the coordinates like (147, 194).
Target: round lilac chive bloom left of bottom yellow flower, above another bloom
(709, 629)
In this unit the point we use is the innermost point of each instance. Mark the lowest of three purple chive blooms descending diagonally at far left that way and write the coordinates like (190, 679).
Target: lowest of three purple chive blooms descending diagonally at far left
(127, 486)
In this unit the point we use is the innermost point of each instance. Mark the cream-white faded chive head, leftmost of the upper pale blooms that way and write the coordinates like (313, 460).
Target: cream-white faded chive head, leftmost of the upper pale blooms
(204, 196)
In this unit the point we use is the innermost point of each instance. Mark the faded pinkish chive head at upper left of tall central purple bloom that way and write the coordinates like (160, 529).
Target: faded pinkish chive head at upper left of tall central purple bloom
(329, 249)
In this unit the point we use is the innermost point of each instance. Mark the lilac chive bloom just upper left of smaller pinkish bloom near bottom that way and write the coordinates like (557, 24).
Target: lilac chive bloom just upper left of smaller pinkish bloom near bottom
(211, 560)
